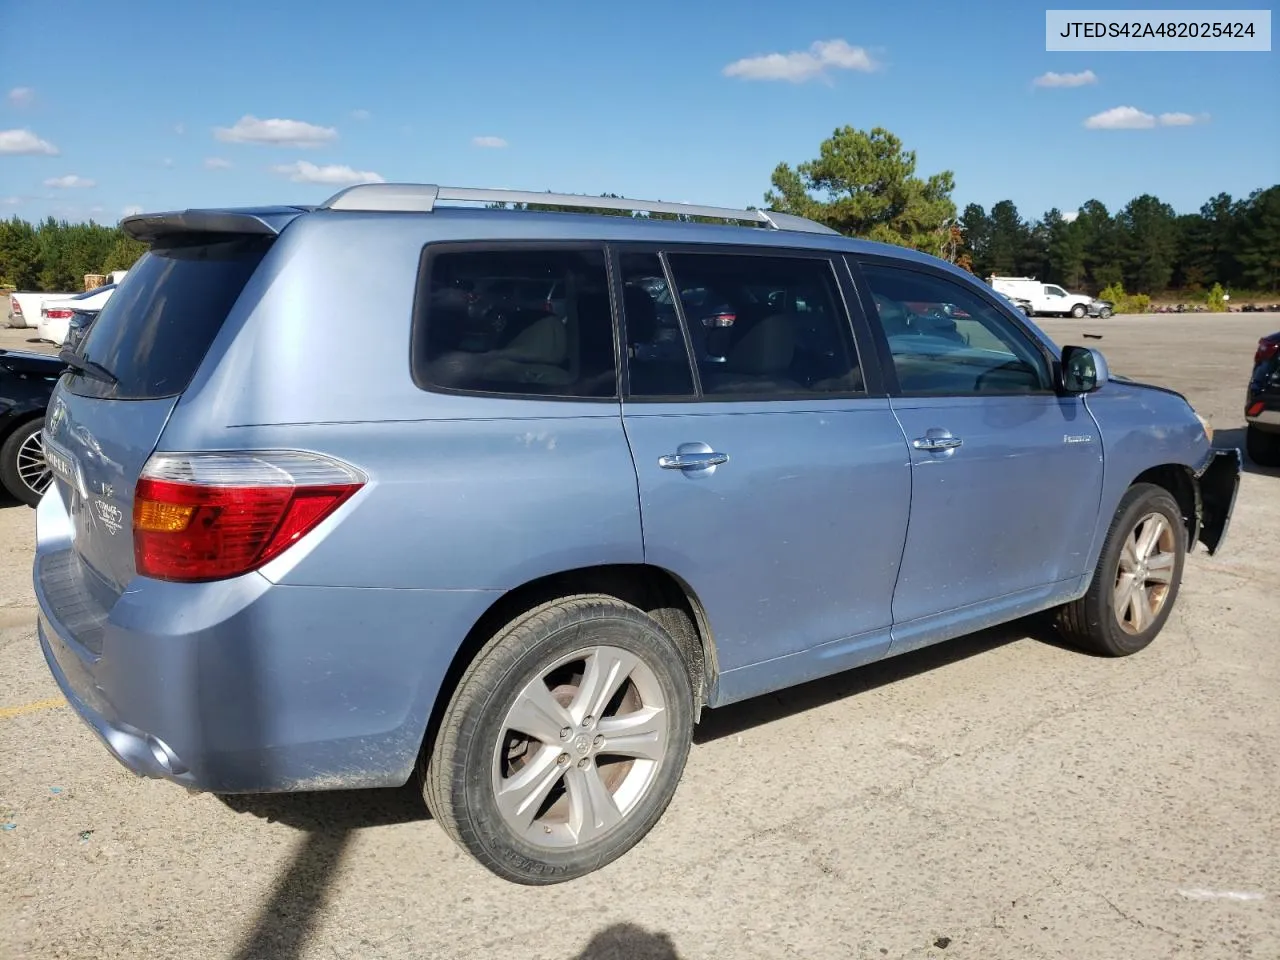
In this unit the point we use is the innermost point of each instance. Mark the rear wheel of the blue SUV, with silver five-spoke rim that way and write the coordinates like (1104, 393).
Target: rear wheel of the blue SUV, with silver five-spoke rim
(564, 743)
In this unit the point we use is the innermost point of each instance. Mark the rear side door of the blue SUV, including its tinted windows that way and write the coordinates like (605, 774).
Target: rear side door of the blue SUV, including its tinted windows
(772, 478)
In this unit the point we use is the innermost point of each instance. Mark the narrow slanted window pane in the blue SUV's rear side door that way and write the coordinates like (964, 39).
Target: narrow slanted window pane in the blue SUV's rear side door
(657, 356)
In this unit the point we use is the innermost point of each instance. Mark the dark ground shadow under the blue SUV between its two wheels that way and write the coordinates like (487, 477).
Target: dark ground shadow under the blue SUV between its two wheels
(761, 711)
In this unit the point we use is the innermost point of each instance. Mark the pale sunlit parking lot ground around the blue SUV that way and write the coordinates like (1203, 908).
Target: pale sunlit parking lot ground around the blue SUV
(996, 797)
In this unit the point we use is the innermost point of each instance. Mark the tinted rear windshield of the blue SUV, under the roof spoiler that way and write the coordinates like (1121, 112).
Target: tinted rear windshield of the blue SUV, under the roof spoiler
(159, 323)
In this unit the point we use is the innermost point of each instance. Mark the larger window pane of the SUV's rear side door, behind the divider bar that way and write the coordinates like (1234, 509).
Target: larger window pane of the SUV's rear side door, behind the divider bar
(765, 326)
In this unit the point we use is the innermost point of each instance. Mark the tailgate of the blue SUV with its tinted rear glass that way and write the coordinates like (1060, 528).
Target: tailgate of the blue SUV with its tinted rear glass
(140, 355)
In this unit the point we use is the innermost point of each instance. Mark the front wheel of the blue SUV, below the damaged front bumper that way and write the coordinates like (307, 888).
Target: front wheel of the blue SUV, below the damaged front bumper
(1137, 578)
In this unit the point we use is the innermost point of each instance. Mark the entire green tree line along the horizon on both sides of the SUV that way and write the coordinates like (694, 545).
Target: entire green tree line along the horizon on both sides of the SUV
(865, 184)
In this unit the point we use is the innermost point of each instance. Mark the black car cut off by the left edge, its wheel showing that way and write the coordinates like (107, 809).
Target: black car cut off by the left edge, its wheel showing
(26, 385)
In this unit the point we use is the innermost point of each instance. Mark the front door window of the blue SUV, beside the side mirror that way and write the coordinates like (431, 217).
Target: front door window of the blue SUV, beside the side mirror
(947, 340)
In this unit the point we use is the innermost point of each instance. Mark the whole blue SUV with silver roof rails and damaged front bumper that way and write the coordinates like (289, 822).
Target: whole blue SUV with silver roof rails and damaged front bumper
(505, 513)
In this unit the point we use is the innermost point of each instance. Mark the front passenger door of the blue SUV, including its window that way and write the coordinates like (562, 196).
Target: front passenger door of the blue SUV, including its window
(1007, 474)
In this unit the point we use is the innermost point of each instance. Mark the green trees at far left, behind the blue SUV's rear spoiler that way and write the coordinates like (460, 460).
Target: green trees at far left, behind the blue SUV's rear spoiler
(56, 255)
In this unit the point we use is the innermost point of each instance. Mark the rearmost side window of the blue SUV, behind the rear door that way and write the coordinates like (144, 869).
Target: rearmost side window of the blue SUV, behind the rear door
(516, 322)
